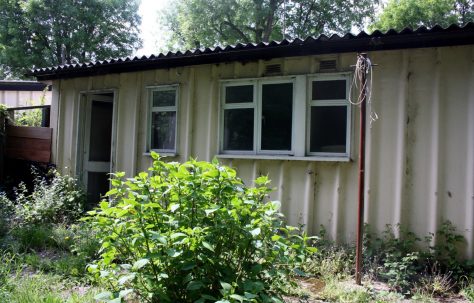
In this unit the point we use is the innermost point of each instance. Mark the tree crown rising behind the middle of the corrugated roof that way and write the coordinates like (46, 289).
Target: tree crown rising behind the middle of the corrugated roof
(196, 23)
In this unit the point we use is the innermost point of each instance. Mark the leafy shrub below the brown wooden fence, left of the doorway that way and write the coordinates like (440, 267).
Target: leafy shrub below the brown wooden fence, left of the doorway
(58, 200)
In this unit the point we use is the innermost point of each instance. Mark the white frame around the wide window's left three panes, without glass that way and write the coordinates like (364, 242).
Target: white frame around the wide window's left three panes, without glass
(256, 105)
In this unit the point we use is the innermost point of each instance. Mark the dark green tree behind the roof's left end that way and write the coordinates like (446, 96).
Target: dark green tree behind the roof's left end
(38, 33)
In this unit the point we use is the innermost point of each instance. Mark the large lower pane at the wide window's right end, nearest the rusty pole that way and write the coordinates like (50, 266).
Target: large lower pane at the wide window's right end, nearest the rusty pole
(328, 129)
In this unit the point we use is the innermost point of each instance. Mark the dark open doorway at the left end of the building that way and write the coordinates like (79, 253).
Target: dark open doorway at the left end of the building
(96, 144)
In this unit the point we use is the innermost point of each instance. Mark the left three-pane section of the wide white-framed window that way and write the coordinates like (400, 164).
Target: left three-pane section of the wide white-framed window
(258, 117)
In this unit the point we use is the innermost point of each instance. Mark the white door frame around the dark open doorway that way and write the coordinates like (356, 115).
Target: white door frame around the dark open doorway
(83, 117)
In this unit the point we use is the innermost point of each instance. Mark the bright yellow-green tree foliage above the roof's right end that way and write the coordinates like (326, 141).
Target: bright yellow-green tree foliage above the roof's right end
(398, 14)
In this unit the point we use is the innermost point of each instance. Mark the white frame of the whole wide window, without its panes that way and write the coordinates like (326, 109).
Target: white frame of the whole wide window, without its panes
(301, 125)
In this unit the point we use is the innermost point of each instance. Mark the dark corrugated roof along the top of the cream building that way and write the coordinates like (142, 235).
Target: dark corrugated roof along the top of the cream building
(323, 44)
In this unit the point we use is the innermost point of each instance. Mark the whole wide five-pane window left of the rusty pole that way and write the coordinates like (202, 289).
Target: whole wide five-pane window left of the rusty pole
(300, 116)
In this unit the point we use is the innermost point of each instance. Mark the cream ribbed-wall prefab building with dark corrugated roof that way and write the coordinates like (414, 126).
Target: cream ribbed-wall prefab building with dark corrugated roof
(284, 109)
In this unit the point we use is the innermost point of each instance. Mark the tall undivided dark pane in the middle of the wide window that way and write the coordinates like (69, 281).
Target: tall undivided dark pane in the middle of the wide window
(277, 116)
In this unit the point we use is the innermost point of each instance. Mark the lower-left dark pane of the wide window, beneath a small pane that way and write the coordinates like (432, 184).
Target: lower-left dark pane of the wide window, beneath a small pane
(238, 129)
